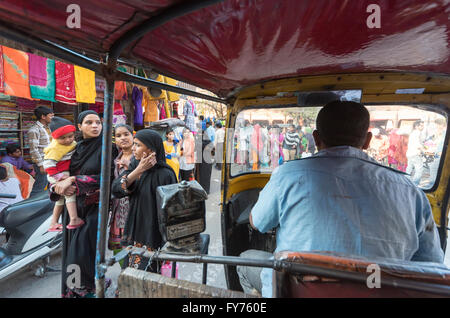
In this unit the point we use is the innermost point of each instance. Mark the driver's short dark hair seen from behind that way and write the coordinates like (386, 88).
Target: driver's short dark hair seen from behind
(343, 123)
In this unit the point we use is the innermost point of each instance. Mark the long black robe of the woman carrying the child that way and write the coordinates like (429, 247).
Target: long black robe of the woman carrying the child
(82, 242)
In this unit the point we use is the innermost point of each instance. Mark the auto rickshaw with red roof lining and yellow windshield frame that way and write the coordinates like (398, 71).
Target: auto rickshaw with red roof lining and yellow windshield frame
(274, 64)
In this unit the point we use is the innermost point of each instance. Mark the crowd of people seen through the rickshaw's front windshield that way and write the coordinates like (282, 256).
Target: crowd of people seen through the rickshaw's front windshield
(258, 146)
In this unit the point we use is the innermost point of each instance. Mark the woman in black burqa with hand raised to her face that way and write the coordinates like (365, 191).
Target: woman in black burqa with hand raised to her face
(148, 170)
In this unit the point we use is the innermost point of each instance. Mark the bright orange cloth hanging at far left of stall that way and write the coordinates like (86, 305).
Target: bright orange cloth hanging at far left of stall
(16, 71)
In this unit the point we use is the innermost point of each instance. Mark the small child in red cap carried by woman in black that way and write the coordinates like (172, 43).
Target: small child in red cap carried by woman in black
(56, 164)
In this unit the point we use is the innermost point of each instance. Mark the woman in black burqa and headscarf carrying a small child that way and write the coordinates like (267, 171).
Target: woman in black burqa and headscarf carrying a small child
(84, 180)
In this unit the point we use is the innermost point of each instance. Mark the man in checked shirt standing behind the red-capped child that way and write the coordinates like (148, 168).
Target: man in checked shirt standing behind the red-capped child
(39, 138)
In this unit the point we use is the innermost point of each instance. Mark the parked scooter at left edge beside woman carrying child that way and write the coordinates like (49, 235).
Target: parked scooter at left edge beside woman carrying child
(29, 242)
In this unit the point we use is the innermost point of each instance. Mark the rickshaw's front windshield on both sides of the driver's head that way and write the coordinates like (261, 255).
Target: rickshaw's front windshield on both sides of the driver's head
(405, 138)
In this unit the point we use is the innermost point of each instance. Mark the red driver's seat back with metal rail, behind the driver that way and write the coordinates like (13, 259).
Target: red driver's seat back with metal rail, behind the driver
(294, 285)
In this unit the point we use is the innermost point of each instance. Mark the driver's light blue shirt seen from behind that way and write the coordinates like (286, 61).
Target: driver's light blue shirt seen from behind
(341, 200)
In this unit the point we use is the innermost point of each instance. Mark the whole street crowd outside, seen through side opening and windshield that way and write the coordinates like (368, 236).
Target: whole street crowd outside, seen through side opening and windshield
(68, 166)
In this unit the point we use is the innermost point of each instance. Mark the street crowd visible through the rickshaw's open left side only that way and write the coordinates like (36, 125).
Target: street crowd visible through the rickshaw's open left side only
(68, 167)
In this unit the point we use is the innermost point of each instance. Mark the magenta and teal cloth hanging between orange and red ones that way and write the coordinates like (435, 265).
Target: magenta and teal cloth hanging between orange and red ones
(42, 77)
